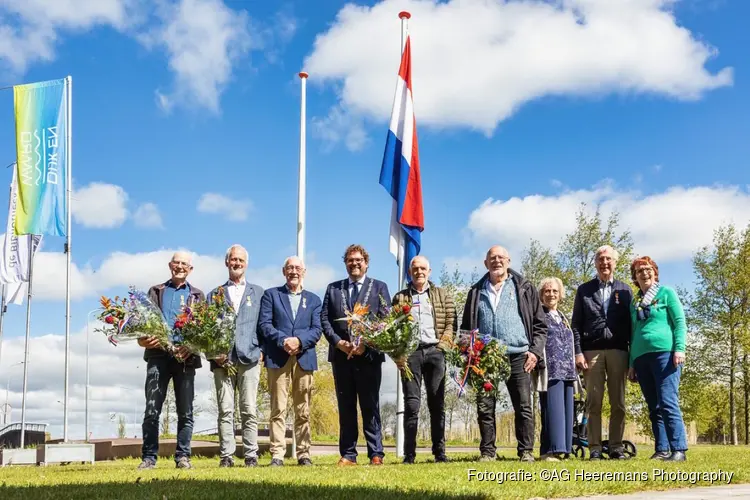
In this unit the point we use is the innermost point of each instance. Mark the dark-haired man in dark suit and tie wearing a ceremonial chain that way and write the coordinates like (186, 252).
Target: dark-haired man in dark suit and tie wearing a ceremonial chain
(357, 370)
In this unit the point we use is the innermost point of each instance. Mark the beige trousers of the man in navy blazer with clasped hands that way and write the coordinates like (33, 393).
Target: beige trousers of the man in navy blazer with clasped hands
(280, 380)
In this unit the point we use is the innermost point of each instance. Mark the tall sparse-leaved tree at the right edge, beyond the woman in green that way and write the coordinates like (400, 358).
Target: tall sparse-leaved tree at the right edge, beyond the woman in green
(719, 311)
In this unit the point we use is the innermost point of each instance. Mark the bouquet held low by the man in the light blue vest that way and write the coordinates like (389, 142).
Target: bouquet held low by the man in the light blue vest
(479, 360)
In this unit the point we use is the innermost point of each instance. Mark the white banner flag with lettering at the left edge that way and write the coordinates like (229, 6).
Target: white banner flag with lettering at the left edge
(14, 264)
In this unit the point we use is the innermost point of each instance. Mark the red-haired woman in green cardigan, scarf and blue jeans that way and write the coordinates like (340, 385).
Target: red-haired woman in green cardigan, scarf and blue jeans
(657, 353)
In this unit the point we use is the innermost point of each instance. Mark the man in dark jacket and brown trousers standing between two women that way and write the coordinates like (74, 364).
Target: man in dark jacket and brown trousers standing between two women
(601, 329)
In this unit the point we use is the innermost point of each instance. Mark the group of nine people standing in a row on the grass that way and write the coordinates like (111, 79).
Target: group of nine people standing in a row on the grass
(612, 335)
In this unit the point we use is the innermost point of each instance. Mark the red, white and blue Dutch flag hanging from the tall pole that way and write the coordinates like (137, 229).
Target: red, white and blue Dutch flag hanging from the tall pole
(399, 174)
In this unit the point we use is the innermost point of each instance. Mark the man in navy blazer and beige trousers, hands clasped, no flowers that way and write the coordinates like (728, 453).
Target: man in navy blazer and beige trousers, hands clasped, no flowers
(290, 325)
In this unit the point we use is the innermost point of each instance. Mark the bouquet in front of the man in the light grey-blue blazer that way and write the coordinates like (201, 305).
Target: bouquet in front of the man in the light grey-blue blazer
(208, 328)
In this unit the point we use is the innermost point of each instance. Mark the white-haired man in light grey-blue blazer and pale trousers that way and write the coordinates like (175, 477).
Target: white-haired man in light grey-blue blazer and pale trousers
(246, 357)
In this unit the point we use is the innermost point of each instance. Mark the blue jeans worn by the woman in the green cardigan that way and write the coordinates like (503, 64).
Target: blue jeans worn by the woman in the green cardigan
(660, 383)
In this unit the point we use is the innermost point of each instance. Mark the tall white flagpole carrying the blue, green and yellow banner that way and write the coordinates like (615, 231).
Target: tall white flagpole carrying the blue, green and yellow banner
(68, 189)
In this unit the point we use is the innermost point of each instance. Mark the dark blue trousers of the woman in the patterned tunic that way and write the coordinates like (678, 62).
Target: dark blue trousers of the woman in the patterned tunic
(557, 417)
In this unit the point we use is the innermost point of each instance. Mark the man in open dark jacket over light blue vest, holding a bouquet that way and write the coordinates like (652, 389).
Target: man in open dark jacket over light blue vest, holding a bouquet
(506, 306)
